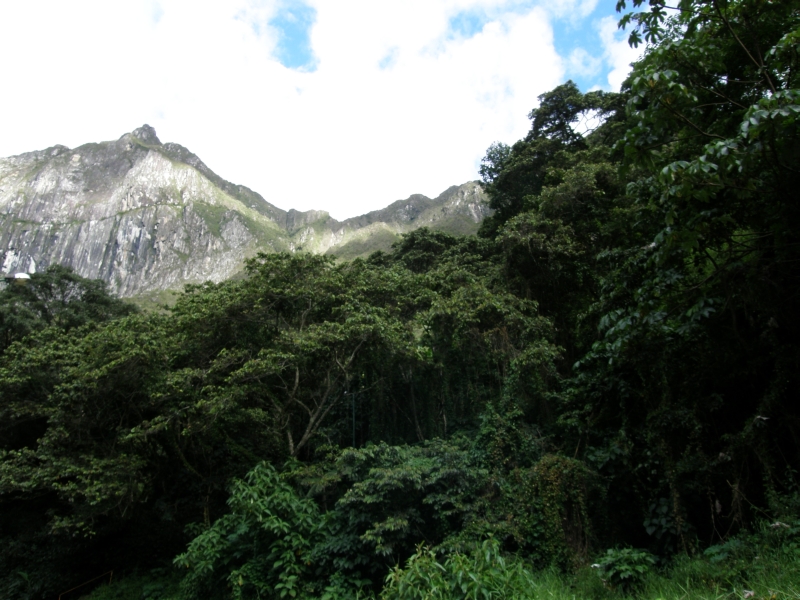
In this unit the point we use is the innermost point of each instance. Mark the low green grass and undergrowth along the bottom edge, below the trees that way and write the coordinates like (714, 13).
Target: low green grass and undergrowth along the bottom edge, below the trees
(764, 564)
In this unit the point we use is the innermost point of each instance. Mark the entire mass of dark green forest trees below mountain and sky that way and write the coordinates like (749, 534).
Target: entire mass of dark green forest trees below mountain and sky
(608, 373)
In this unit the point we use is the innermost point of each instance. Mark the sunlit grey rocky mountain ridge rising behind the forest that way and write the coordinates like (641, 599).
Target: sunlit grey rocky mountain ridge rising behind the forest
(146, 216)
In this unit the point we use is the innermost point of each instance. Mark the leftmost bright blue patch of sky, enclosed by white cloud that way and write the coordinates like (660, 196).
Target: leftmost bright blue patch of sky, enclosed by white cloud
(293, 23)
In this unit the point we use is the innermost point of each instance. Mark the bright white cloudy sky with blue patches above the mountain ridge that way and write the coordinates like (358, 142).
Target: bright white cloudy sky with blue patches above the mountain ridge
(337, 105)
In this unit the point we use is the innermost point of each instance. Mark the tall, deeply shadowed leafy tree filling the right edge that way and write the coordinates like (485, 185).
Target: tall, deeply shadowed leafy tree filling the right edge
(688, 386)
